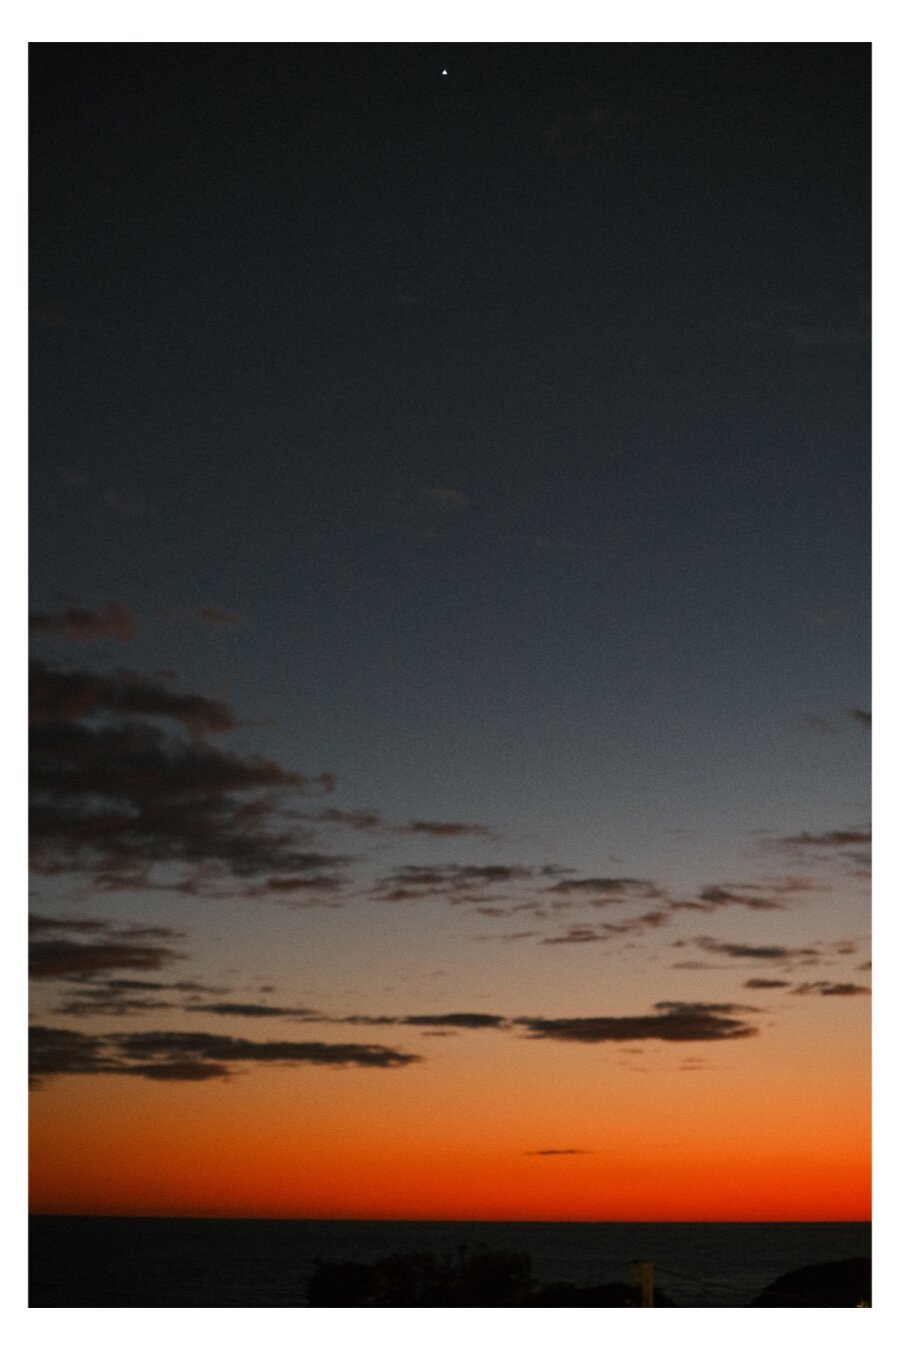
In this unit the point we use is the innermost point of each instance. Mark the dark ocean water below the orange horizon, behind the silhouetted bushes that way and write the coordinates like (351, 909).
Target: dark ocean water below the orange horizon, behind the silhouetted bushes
(102, 1263)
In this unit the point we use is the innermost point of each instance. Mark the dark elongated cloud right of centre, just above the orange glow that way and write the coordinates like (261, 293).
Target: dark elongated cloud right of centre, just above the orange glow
(671, 1023)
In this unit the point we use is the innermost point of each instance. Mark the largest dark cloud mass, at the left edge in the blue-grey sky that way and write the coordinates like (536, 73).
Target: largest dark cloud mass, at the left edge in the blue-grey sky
(121, 799)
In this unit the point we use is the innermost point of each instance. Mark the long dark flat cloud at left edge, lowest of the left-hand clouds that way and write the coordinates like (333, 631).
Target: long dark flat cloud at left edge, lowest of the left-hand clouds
(188, 1056)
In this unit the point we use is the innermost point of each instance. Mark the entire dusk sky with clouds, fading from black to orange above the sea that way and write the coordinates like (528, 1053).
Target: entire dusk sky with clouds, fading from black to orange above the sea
(450, 631)
